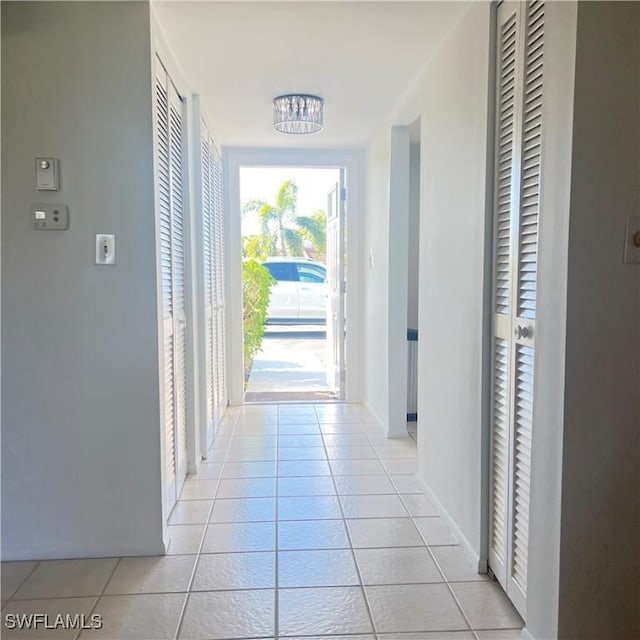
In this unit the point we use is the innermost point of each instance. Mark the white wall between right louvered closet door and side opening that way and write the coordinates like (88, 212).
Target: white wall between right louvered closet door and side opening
(452, 230)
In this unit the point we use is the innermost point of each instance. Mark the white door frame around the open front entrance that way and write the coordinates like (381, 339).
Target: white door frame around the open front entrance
(353, 162)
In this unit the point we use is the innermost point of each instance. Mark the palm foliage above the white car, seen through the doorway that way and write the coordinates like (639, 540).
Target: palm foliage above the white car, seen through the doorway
(282, 229)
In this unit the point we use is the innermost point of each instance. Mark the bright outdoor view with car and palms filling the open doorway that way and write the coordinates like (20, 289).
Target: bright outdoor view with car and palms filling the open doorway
(292, 282)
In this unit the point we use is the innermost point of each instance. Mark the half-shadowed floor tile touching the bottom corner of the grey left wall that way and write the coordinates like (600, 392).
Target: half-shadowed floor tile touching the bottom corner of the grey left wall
(162, 574)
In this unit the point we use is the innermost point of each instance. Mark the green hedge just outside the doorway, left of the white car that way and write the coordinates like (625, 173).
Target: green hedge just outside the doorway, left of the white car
(256, 289)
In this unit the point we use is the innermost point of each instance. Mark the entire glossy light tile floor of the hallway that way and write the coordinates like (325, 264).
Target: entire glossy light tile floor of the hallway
(305, 522)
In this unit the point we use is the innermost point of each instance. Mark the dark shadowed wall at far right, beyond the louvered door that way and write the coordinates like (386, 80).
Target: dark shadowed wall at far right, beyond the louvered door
(600, 533)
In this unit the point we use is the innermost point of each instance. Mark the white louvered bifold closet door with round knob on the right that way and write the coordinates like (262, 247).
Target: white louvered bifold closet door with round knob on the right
(516, 214)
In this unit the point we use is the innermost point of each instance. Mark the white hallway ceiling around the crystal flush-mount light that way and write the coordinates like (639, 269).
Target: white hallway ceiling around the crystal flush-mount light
(361, 57)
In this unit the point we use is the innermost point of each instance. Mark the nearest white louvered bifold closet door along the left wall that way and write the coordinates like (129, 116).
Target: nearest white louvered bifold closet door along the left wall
(170, 178)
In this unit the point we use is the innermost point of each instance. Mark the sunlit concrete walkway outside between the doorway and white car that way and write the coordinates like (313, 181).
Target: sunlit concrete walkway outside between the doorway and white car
(292, 360)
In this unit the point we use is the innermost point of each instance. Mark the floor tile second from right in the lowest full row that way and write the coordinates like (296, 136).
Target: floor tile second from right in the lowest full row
(414, 607)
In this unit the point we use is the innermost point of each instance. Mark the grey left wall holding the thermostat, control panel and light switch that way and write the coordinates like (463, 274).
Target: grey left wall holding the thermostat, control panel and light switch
(81, 470)
